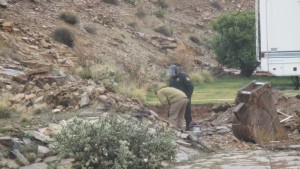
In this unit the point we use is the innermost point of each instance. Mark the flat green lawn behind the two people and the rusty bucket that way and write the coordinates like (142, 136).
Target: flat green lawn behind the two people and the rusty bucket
(225, 89)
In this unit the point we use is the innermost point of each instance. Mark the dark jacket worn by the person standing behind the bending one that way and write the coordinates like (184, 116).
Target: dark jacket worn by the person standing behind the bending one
(182, 82)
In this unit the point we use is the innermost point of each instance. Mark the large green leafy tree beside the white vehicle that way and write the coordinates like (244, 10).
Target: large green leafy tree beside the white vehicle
(234, 42)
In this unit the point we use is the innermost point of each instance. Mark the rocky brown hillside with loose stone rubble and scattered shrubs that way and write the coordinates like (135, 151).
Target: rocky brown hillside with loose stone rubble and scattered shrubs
(43, 81)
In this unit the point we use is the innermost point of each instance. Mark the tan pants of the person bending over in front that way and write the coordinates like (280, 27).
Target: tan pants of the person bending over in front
(176, 112)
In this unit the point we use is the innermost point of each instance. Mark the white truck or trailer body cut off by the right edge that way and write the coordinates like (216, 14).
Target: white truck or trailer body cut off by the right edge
(278, 37)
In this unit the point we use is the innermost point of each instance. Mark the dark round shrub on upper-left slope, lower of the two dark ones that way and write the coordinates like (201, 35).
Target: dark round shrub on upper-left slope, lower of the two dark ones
(65, 36)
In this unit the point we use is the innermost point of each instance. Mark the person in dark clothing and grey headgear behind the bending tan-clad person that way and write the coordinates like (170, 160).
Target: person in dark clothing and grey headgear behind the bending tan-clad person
(181, 81)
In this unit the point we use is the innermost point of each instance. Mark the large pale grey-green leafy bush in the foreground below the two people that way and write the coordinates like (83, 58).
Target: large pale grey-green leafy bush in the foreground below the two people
(115, 143)
